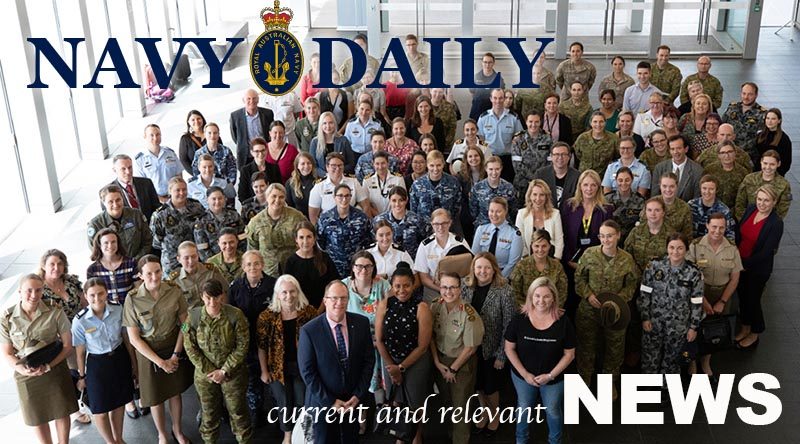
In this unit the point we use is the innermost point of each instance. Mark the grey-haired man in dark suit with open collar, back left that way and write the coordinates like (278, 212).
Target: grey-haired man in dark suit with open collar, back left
(247, 123)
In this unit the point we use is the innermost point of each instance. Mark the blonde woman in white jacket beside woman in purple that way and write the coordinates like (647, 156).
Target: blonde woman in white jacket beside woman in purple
(540, 214)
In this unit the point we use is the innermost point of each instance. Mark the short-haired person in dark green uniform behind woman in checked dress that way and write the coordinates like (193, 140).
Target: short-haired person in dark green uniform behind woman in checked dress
(128, 223)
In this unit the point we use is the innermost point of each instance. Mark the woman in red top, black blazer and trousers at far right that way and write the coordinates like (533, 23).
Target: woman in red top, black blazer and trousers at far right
(758, 237)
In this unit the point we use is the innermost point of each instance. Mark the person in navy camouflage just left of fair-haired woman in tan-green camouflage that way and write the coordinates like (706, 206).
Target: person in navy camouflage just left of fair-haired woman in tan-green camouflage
(217, 217)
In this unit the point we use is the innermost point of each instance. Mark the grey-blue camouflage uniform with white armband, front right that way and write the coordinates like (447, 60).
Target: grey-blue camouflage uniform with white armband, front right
(672, 300)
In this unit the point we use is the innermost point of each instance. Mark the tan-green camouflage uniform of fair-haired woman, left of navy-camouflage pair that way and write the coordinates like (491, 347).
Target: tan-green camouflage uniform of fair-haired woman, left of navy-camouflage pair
(274, 239)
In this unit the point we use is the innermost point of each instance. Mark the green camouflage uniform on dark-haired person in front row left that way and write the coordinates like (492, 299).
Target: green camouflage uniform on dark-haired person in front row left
(219, 344)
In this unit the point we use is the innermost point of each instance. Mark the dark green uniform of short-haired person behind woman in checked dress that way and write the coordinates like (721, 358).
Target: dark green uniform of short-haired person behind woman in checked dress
(134, 234)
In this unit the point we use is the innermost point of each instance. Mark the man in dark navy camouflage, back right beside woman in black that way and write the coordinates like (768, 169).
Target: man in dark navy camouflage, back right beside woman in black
(747, 118)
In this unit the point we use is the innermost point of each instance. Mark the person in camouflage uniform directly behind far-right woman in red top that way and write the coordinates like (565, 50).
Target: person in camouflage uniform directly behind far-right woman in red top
(768, 175)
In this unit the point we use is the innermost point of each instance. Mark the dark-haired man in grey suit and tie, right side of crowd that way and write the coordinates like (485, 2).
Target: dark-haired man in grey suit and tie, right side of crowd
(690, 171)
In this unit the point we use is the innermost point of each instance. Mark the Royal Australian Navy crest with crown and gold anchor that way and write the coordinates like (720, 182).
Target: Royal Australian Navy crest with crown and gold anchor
(276, 59)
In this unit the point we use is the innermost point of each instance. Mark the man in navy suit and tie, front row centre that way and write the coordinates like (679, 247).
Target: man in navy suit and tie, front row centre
(336, 360)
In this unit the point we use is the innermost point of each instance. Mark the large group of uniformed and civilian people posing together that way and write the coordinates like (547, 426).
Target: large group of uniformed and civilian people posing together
(374, 252)
